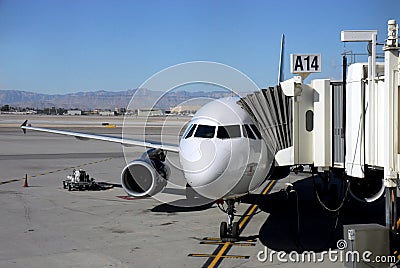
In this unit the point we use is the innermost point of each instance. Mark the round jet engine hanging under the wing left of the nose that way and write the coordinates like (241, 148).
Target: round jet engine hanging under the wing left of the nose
(147, 175)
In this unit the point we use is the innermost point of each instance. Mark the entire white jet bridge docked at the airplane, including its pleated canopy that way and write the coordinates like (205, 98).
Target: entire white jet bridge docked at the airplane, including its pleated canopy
(353, 126)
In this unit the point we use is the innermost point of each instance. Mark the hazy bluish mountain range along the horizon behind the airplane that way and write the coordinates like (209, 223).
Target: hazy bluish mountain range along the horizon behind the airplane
(102, 99)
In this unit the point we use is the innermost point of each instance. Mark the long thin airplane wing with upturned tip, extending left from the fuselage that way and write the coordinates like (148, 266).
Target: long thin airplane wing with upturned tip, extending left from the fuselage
(88, 136)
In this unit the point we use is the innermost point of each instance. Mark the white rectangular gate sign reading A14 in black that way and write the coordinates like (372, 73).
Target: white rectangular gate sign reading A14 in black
(305, 63)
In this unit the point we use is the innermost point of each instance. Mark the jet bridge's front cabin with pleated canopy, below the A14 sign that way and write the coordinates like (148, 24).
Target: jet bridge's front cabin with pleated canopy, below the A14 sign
(295, 121)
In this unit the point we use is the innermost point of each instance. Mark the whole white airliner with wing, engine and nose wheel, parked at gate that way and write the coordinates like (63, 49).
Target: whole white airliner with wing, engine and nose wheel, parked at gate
(222, 154)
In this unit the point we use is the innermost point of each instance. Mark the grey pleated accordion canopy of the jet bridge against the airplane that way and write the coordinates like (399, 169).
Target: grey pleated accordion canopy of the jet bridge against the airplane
(271, 111)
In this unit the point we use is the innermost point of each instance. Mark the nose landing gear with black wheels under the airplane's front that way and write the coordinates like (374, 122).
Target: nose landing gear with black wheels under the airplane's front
(229, 231)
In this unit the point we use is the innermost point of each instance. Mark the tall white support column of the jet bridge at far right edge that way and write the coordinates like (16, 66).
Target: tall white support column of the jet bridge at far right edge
(391, 114)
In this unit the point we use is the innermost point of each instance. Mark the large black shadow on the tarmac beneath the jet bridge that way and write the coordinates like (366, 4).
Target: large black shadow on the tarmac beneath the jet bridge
(304, 224)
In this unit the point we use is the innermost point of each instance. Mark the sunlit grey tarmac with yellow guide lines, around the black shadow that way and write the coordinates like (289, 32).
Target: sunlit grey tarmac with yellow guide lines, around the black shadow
(44, 225)
